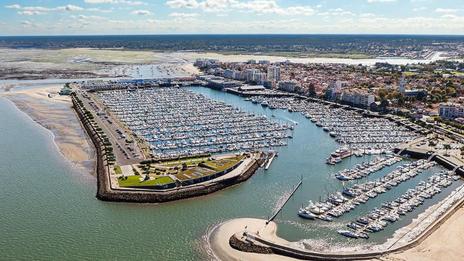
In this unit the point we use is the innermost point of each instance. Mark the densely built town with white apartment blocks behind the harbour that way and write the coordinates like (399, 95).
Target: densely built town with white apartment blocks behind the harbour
(426, 93)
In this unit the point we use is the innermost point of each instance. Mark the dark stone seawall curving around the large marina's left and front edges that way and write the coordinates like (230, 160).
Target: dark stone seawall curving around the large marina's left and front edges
(106, 193)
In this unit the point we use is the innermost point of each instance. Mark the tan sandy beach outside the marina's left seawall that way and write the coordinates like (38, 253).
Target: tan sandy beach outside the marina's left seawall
(56, 115)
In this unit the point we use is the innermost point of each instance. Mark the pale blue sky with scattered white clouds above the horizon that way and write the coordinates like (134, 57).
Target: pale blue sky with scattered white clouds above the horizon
(77, 17)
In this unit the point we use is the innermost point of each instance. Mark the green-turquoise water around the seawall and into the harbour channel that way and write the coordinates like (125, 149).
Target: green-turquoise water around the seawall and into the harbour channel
(49, 211)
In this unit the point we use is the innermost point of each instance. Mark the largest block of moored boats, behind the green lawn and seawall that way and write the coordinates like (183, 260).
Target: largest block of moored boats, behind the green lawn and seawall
(177, 122)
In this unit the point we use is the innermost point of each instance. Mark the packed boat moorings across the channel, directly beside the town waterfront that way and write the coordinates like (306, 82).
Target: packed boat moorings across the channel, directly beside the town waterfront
(357, 134)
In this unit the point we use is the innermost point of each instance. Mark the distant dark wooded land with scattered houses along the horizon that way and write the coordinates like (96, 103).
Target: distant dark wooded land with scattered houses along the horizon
(345, 46)
